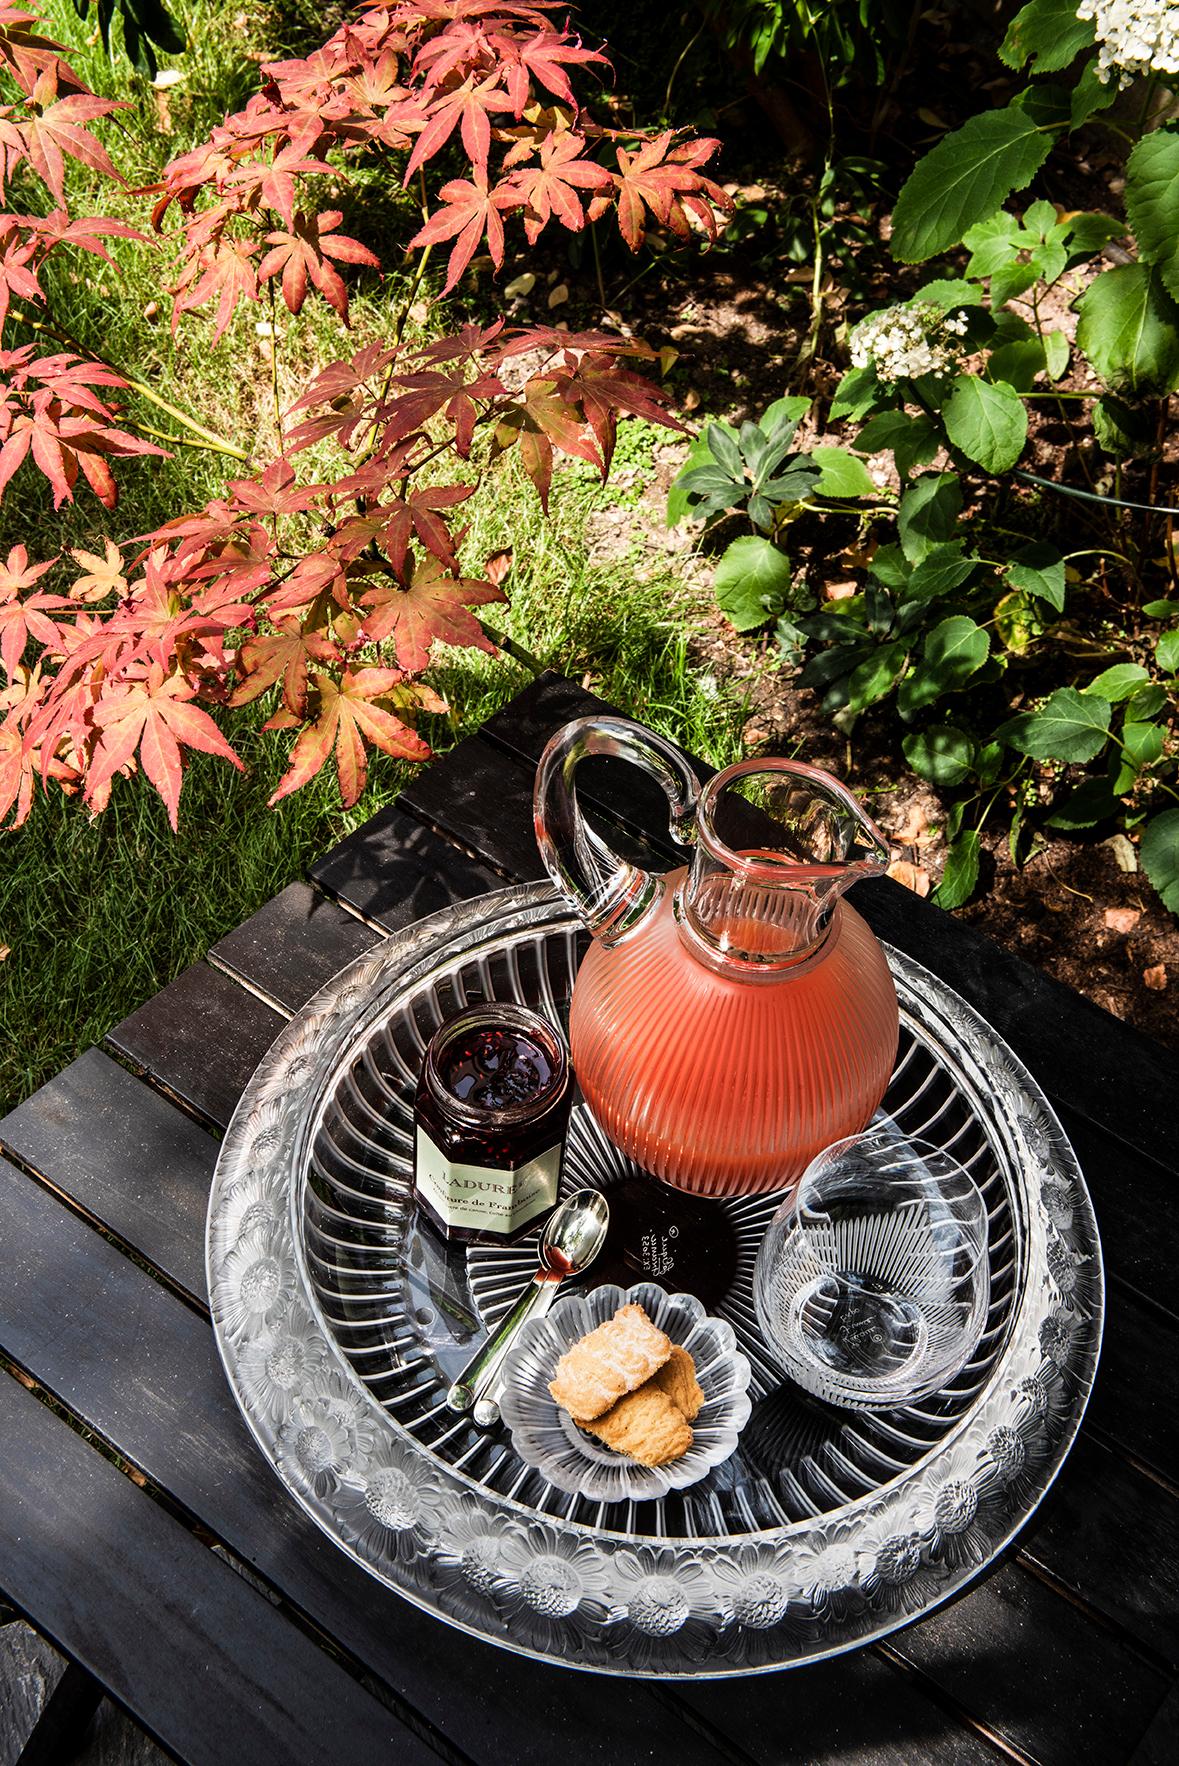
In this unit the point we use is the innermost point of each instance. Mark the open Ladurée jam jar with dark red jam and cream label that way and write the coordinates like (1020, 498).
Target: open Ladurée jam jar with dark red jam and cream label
(492, 1113)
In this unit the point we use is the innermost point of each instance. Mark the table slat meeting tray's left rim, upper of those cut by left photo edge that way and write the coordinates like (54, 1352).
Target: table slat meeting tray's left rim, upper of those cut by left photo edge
(126, 1156)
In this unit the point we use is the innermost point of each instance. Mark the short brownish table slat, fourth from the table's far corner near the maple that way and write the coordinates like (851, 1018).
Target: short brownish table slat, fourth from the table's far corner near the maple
(294, 946)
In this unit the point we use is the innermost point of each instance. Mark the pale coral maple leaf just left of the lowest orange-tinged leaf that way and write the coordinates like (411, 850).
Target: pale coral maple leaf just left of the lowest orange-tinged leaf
(156, 718)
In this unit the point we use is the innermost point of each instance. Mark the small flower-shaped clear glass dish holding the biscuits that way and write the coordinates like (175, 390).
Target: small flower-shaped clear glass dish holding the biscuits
(573, 1460)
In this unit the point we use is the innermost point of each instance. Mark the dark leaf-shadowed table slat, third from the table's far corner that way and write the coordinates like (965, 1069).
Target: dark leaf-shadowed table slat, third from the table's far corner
(396, 872)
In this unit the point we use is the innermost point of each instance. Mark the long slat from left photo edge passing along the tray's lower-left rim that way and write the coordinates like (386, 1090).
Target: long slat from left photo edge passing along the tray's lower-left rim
(142, 1370)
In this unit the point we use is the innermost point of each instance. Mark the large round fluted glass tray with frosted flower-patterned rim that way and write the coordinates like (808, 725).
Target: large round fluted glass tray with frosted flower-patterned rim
(343, 1320)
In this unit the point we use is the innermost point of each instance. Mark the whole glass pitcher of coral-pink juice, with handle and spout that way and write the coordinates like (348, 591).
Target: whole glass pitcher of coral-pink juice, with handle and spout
(733, 1018)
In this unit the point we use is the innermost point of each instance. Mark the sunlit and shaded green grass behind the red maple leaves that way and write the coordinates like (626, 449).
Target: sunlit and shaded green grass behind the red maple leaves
(100, 914)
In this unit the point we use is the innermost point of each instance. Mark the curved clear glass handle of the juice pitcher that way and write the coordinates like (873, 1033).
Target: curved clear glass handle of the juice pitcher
(610, 893)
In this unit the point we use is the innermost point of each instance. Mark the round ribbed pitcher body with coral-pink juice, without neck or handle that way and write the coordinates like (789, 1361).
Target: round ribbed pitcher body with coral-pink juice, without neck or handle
(721, 1082)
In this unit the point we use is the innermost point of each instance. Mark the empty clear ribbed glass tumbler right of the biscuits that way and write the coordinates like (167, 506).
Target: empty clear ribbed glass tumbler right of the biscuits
(873, 1281)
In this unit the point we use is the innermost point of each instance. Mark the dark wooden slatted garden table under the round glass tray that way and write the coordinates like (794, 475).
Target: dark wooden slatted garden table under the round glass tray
(146, 1536)
